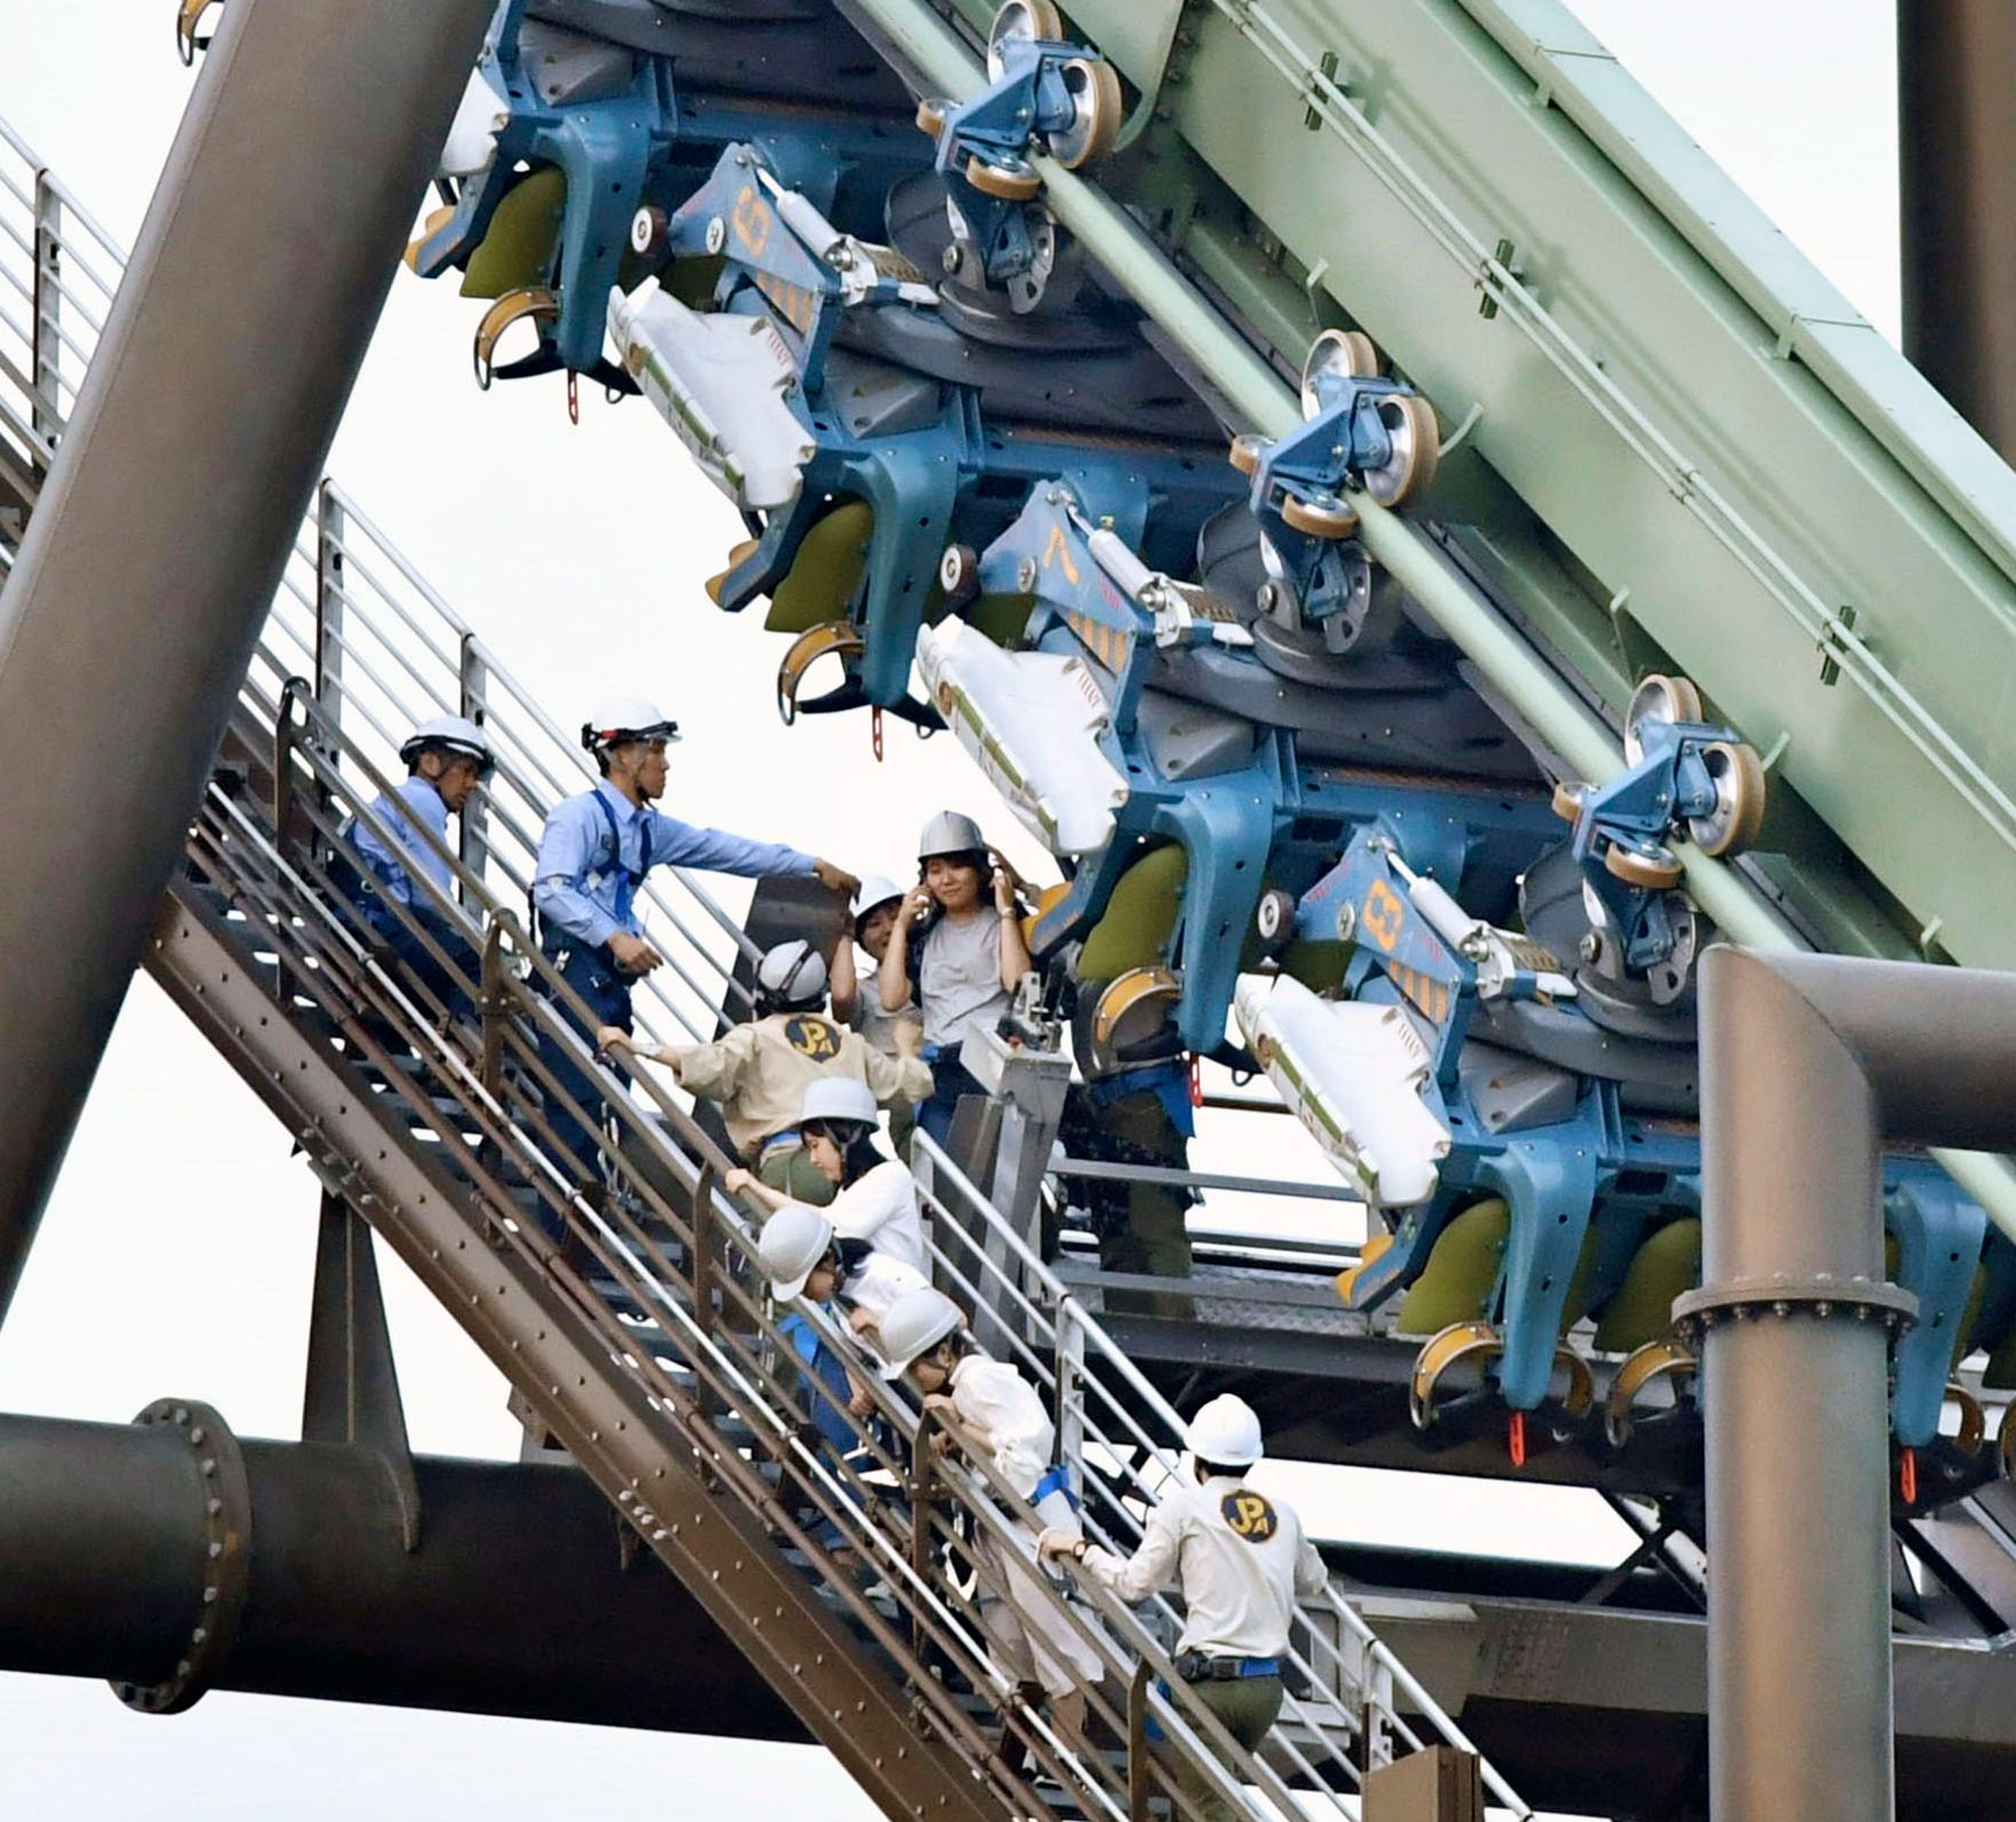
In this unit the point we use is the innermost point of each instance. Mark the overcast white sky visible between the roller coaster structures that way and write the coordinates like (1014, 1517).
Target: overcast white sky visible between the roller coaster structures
(182, 1228)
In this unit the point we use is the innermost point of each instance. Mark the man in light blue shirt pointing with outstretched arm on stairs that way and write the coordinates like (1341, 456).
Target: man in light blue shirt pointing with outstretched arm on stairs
(594, 858)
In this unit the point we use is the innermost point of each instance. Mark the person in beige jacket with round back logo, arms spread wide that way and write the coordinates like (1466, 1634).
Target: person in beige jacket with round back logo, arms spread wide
(759, 1073)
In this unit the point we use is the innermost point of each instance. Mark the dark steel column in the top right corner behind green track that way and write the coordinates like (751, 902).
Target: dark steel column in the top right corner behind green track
(1957, 148)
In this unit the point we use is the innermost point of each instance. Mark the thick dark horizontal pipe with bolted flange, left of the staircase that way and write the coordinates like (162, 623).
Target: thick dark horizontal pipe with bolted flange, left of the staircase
(515, 1603)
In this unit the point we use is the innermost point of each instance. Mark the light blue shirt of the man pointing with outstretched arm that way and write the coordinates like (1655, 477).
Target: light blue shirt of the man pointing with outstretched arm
(584, 886)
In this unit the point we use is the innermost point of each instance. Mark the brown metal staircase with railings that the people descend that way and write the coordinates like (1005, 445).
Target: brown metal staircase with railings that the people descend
(632, 1323)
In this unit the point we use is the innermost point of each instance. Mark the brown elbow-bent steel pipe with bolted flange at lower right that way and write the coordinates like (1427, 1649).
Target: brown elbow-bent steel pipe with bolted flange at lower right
(1807, 1065)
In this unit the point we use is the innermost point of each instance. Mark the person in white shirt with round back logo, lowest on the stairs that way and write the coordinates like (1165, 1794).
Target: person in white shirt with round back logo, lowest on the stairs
(1239, 1557)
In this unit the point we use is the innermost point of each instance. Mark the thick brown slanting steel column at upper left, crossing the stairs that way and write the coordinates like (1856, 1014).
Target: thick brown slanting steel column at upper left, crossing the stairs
(162, 533)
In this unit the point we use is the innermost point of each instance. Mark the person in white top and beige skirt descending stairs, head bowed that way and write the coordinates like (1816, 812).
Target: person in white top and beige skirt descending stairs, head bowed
(999, 1412)
